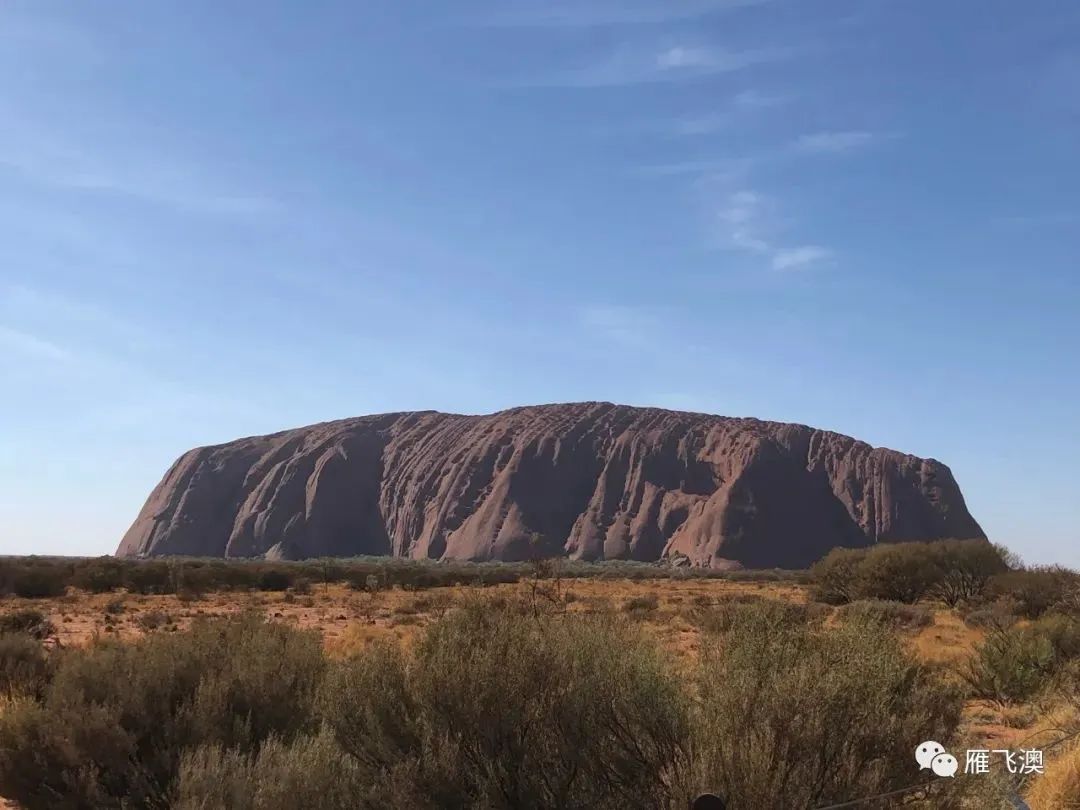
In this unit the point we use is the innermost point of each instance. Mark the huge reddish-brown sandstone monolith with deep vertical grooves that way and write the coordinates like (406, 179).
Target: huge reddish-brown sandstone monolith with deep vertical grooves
(590, 481)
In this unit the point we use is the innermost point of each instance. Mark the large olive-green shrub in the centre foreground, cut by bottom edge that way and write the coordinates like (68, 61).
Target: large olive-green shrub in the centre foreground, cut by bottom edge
(499, 711)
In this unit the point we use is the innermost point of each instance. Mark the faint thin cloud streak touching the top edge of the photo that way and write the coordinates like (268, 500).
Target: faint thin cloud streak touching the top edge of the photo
(597, 13)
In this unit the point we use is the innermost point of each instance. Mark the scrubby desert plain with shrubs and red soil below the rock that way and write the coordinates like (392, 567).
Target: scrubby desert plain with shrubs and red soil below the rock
(390, 685)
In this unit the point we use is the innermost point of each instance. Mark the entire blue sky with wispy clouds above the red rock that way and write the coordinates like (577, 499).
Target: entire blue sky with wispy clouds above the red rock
(226, 219)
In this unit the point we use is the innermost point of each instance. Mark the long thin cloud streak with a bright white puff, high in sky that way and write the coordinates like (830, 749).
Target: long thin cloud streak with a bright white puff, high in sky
(671, 64)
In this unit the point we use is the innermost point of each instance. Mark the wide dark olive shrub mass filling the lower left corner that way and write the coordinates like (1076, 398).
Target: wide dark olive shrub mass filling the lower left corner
(116, 719)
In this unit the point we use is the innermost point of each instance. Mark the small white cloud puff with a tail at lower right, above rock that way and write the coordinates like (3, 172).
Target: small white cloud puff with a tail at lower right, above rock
(748, 222)
